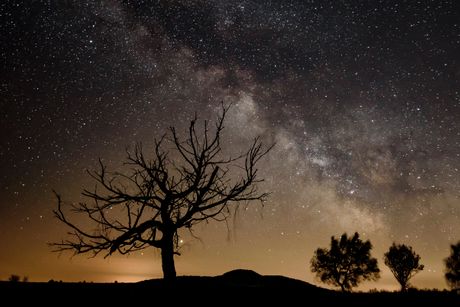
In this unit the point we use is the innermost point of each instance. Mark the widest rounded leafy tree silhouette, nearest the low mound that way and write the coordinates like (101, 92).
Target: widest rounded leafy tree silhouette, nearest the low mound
(347, 263)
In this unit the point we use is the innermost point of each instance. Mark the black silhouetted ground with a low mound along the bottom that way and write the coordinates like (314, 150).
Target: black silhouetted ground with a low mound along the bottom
(239, 287)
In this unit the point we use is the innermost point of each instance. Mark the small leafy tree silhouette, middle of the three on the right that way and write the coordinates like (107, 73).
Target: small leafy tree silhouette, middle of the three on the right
(403, 262)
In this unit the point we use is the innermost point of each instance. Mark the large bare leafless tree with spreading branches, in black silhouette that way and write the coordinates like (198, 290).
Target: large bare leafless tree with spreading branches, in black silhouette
(179, 187)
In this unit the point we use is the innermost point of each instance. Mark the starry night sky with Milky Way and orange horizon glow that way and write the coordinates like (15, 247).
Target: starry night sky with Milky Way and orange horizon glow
(361, 97)
